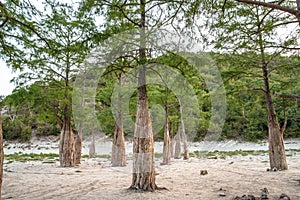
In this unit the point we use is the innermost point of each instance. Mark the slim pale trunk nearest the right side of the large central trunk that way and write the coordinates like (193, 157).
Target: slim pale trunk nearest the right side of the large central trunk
(166, 148)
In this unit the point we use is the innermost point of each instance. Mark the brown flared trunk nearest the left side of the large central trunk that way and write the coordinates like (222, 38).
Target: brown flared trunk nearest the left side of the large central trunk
(118, 146)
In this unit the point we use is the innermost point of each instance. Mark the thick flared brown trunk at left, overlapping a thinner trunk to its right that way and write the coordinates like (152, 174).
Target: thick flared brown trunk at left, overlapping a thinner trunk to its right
(66, 146)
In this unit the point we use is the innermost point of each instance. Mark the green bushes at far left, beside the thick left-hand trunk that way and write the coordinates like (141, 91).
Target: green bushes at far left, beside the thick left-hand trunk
(29, 110)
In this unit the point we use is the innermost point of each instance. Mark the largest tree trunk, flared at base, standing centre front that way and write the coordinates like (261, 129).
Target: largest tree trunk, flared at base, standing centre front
(143, 176)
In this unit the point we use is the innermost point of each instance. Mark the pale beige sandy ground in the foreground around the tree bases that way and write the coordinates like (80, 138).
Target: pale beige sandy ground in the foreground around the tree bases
(96, 179)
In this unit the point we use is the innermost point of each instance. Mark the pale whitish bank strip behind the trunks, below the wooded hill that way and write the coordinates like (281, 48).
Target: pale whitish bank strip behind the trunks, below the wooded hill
(104, 145)
